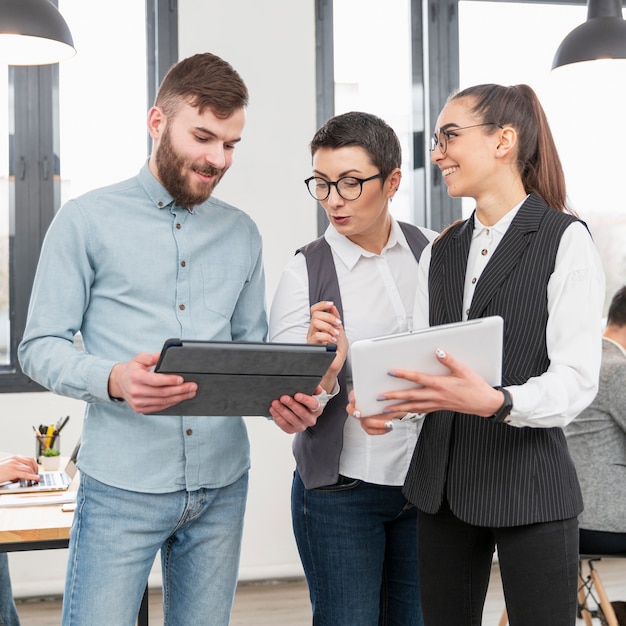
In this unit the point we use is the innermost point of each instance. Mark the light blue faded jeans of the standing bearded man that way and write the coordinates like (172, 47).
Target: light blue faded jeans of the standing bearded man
(116, 535)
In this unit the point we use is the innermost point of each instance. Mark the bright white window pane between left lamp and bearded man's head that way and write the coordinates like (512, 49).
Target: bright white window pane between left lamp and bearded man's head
(102, 97)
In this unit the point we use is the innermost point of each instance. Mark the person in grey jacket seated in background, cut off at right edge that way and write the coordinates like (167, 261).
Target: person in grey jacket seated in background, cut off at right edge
(597, 443)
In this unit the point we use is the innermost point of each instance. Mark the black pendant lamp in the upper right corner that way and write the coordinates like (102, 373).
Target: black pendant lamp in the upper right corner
(602, 36)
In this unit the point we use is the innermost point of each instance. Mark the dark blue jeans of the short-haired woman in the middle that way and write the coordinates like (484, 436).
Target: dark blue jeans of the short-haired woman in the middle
(357, 543)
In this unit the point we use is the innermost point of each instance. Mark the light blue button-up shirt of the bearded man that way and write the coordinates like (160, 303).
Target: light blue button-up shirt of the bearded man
(129, 270)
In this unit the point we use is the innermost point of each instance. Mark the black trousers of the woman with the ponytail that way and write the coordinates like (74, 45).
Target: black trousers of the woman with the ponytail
(538, 564)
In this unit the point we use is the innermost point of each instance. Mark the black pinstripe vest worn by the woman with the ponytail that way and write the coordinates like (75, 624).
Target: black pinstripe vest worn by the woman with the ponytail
(494, 474)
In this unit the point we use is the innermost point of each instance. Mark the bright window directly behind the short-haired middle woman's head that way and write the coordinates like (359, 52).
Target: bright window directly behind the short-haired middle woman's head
(375, 61)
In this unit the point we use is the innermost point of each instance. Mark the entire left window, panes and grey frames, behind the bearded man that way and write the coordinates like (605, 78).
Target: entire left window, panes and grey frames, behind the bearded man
(71, 127)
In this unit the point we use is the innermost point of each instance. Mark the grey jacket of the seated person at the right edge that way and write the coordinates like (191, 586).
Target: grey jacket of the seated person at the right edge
(597, 443)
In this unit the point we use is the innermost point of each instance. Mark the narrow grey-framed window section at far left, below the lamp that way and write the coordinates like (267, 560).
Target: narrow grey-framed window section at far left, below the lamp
(28, 194)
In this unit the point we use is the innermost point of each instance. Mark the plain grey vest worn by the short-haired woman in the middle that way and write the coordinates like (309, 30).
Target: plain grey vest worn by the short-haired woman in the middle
(318, 448)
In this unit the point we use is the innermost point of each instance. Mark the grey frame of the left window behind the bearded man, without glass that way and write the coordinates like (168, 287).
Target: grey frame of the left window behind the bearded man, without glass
(34, 168)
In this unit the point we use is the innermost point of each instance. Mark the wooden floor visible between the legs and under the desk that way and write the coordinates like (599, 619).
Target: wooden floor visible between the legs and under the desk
(286, 603)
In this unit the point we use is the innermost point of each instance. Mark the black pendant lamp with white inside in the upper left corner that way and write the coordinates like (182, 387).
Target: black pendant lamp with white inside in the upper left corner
(33, 32)
